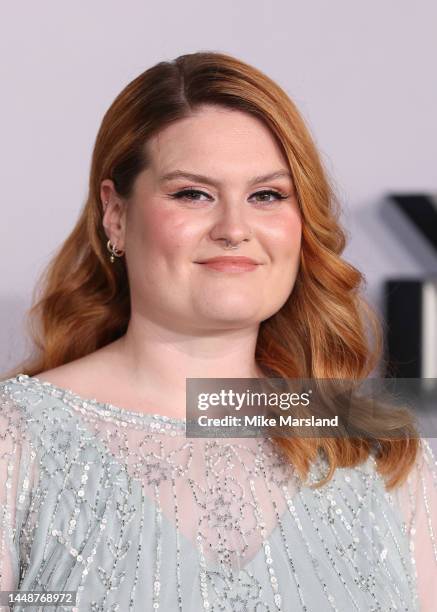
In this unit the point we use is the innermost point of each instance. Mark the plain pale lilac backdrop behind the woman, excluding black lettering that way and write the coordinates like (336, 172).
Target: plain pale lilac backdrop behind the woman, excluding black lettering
(362, 74)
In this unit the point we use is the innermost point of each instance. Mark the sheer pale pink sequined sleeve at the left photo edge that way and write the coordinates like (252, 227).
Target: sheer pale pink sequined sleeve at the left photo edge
(16, 478)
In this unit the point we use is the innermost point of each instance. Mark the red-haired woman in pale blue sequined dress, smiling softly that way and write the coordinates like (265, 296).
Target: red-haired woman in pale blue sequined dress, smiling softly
(198, 158)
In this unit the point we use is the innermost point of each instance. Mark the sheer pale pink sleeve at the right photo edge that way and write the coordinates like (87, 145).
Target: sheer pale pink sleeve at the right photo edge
(417, 498)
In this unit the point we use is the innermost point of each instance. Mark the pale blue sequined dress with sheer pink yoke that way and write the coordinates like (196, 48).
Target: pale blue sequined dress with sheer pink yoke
(125, 510)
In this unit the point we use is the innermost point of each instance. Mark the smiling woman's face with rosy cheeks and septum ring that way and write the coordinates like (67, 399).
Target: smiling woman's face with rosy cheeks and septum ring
(166, 233)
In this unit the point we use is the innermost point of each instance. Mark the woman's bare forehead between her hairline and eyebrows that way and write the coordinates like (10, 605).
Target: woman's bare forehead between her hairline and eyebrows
(216, 140)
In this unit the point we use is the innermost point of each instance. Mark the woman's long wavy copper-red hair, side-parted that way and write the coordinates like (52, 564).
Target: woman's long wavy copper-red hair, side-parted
(326, 329)
